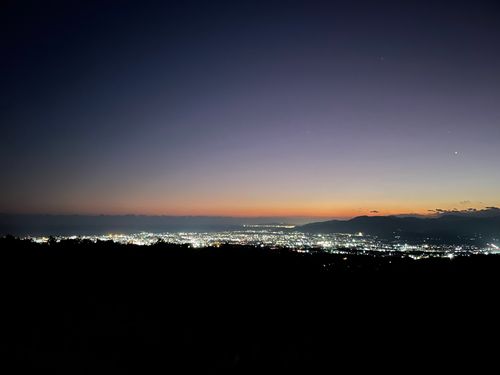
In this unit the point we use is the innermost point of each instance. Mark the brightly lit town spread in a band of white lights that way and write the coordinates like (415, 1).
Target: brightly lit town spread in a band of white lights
(275, 237)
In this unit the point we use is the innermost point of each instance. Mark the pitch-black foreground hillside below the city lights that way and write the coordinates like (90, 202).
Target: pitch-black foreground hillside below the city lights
(84, 308)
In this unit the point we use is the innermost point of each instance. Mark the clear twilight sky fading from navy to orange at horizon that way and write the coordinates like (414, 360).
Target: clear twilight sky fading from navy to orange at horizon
(309, 108)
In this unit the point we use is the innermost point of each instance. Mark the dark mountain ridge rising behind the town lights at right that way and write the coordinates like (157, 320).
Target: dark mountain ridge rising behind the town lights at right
(460, 227)
